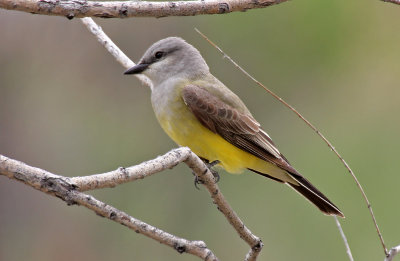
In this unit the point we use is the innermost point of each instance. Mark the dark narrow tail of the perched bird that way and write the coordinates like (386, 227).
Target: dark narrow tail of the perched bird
(315, 196)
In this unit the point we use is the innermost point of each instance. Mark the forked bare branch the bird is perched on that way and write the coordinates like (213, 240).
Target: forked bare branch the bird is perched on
(70, 190)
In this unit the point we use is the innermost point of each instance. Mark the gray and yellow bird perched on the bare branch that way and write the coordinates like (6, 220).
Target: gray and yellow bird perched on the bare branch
(198, 111)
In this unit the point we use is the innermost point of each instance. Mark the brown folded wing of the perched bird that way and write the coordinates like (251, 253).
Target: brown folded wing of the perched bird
(239, 129)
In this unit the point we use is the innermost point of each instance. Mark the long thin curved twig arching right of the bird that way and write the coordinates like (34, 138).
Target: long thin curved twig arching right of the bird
(313, 128)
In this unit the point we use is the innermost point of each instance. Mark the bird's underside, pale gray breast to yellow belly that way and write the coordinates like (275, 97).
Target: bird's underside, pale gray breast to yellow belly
(183, 127)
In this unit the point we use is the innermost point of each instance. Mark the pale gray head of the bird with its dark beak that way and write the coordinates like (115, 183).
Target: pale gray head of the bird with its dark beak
(170, 57)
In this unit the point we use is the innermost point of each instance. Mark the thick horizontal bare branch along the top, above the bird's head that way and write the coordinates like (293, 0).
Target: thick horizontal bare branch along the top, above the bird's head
(124, 9)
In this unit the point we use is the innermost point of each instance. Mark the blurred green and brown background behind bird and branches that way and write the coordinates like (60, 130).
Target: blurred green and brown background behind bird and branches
(66, 107)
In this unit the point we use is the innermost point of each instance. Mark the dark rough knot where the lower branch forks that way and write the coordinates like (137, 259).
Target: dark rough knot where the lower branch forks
(60, 188)
